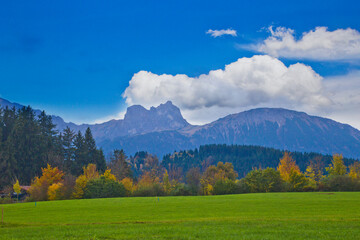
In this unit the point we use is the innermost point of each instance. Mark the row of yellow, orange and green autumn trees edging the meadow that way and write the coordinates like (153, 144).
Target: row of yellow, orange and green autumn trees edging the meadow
(118, 180)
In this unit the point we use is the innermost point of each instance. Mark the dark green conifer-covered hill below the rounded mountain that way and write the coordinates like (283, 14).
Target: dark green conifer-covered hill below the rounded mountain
(243, 158)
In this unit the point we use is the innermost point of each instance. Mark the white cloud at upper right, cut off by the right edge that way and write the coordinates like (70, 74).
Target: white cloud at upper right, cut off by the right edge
(318, 44)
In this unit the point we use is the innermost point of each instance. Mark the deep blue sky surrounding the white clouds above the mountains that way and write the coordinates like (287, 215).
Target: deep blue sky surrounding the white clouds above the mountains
(76, 58)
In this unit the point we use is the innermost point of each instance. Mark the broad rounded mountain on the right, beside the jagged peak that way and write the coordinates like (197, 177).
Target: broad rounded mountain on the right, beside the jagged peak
(281, 129)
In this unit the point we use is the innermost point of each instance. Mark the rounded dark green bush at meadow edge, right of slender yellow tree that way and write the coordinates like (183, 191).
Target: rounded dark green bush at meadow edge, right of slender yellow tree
(104, 188)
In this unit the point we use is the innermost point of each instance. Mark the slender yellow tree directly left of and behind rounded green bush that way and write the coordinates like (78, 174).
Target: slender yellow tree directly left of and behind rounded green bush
(90, 173)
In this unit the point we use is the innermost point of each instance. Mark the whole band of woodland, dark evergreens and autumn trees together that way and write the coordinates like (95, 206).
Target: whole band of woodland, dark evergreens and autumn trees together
(68, 165)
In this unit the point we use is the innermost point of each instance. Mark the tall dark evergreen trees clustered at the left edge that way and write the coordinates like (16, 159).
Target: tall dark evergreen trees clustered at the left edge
(28, 142)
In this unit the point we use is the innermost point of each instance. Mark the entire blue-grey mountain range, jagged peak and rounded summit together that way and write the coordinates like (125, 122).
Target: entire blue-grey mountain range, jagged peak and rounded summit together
(161, 130)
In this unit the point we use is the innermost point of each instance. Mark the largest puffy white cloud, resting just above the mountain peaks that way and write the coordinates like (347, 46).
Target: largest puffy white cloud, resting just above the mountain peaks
(249, 82)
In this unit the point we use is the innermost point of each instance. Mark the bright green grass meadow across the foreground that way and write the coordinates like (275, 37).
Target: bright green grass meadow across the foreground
(246, 216)
